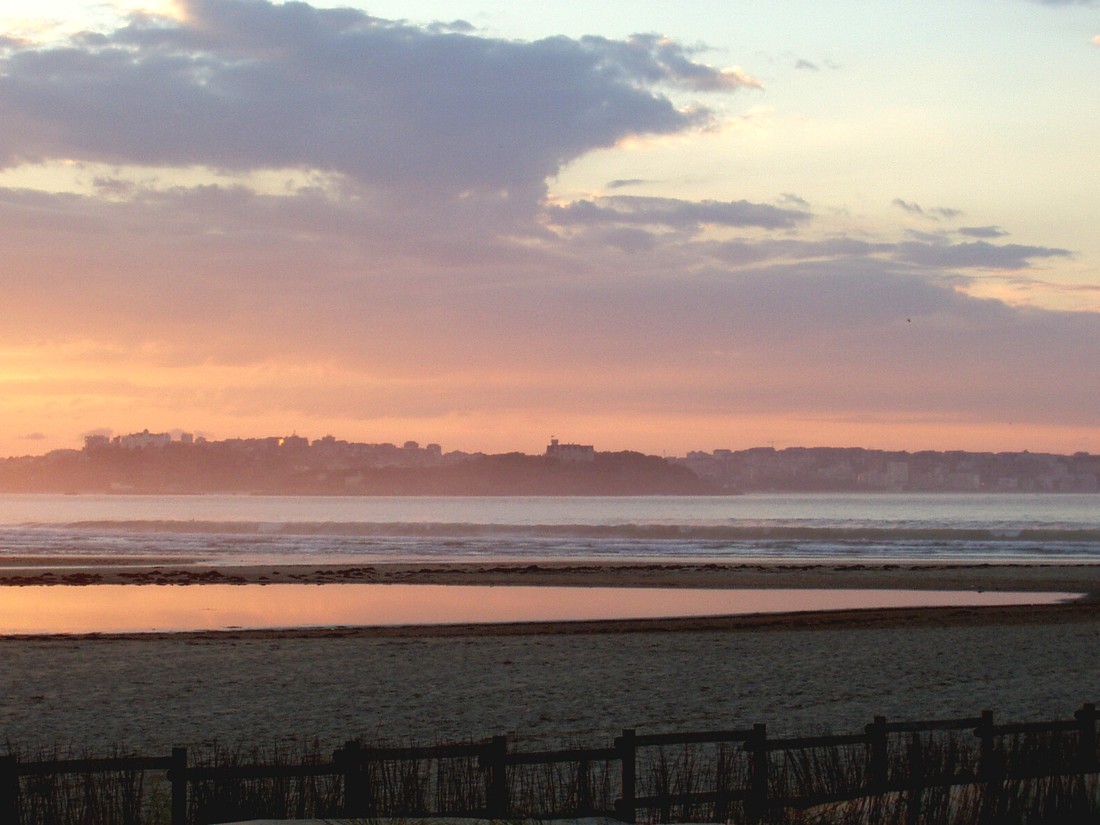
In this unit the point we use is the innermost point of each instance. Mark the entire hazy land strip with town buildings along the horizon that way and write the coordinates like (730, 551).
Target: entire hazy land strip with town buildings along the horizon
(181, 464)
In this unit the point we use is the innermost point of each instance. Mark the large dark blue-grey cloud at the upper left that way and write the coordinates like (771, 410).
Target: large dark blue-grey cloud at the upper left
(248, 84)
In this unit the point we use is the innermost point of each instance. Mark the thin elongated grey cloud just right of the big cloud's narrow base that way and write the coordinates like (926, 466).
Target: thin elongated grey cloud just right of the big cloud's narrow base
(677, 214)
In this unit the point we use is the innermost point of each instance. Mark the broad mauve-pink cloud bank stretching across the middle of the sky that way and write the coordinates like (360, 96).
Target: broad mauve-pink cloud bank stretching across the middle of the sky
(304, 307)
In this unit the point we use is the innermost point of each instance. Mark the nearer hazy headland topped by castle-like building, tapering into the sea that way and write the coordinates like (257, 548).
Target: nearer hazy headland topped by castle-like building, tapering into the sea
(285, 467)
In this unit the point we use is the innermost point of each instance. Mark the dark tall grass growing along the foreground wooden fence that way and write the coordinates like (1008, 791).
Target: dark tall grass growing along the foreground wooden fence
(812, 786)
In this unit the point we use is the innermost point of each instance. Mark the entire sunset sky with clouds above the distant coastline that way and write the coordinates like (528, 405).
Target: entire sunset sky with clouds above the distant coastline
(664, 227)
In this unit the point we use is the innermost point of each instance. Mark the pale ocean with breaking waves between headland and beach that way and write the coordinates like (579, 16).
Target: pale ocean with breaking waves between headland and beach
(226, 531)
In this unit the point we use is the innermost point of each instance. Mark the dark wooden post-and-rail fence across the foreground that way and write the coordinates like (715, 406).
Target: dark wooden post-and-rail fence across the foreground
(722, 776)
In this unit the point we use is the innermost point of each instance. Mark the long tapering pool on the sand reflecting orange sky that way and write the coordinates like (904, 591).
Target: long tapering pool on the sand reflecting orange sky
(137, 609)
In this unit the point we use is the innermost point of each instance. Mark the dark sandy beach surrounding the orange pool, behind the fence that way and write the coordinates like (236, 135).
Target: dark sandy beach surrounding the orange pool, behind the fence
(560, 681)
